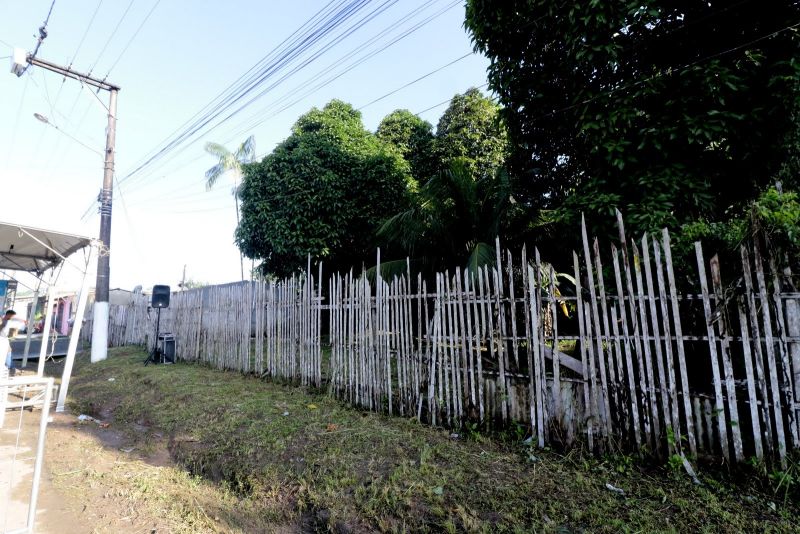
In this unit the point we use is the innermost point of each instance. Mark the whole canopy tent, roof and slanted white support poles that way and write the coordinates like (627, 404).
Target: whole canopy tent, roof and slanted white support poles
(37, 251)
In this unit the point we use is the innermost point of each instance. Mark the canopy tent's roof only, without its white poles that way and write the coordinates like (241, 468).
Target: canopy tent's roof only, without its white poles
(24, 248)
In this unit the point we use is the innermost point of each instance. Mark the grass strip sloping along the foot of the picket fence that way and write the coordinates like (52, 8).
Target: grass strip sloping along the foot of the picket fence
(270, 457)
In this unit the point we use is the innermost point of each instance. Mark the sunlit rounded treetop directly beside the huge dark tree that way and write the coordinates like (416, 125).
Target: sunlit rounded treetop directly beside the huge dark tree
(470, 130)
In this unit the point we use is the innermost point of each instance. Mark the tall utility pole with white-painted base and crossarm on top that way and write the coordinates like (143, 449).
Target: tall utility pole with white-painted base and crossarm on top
(100, 319)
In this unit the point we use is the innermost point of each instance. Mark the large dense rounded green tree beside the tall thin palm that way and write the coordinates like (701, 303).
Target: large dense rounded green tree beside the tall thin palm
(323, 191)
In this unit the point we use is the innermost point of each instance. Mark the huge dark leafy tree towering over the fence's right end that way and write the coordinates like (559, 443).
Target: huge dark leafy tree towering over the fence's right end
(669, 111)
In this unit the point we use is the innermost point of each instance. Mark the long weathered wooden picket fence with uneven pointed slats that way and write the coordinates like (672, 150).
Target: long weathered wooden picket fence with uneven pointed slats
(624, 361)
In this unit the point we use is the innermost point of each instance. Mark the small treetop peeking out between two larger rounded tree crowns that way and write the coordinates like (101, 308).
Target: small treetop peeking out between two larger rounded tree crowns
(413, 138)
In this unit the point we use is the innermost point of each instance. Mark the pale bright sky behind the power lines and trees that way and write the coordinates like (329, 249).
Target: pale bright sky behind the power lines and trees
(171, 59)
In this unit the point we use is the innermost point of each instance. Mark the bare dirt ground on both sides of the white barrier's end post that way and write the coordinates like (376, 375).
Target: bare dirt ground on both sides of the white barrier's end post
(80, 487)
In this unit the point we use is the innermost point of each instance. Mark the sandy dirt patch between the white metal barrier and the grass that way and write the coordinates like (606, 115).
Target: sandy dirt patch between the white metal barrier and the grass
(95, 482)
